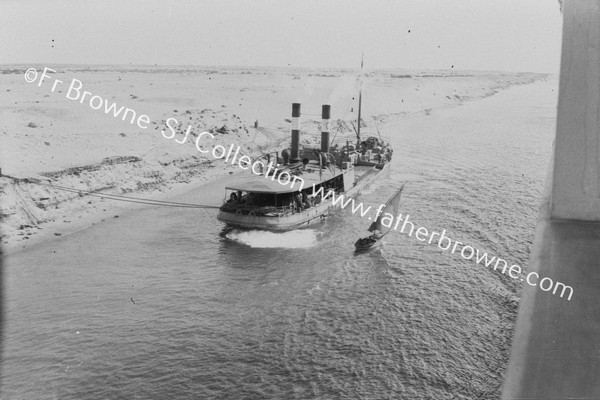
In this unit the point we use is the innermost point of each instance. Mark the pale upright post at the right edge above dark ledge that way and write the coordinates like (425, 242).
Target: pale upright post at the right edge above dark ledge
(576, 180)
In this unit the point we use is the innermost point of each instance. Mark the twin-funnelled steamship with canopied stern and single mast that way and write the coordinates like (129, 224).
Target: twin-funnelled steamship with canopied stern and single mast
(268, 201)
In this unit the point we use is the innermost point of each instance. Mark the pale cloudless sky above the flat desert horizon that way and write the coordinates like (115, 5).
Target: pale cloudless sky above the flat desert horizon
(510, 35)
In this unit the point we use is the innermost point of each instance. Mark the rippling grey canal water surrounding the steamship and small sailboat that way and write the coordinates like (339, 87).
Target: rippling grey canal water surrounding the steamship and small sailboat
(157, 305)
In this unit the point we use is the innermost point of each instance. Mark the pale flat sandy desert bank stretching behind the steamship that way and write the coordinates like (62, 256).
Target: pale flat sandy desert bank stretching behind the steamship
(49, 138)
